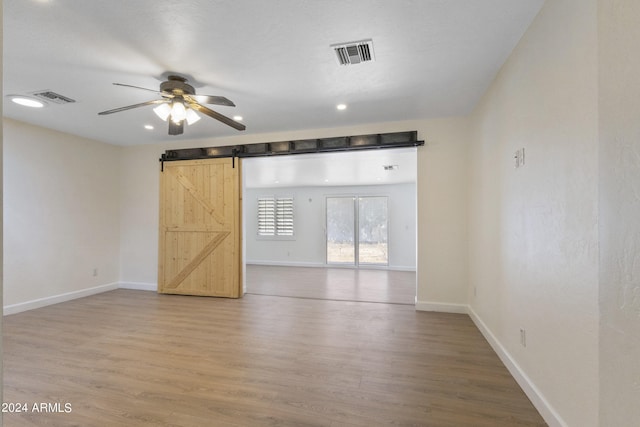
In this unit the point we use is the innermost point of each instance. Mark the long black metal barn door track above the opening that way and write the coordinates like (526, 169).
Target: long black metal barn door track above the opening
(318, 145)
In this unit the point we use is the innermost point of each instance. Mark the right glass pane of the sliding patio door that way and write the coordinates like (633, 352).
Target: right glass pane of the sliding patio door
(373, 242)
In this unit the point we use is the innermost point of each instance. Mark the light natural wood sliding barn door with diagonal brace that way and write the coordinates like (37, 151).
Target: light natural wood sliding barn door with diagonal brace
(200, 235)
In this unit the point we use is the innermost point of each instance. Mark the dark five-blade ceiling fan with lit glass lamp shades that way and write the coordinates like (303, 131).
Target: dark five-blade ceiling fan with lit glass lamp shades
(179, 103)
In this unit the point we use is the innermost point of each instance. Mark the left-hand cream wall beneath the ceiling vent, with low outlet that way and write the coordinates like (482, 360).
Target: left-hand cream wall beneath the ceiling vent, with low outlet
(61, 214)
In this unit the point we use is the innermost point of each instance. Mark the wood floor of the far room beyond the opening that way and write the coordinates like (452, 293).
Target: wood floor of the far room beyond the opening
(344, 284)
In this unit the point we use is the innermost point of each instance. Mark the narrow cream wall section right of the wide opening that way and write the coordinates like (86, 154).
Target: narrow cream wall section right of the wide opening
(443, 193)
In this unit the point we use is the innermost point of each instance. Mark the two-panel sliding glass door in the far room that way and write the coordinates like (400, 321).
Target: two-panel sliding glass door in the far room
(357, 230)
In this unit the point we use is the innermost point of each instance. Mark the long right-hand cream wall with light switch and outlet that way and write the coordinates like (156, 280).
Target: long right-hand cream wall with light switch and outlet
(533, 230)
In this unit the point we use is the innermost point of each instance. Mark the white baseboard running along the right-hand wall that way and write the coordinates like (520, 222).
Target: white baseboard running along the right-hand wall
(537, 398)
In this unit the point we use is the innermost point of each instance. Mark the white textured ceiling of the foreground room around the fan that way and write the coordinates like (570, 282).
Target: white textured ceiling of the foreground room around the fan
(434, 58)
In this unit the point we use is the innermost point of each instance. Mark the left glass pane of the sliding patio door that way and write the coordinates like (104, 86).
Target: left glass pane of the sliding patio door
(341, 230)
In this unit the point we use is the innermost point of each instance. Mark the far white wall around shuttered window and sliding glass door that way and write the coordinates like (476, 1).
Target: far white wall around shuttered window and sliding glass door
(309, 245)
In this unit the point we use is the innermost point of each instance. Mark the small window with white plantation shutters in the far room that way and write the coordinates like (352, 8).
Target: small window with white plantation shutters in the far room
(275, 216)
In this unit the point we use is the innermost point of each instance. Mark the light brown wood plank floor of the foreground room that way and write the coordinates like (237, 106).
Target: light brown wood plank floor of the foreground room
(136, 358)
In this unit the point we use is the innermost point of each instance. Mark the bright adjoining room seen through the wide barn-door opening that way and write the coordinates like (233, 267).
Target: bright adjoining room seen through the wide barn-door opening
(338, 225)
